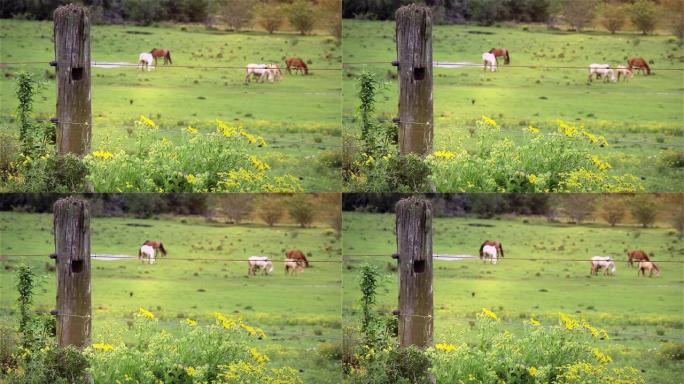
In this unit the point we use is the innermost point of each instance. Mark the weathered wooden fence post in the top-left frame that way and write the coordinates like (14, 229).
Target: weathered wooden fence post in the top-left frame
(72, 59)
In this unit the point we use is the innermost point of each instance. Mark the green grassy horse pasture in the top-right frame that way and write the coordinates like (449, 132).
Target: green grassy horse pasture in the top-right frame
(646, 109)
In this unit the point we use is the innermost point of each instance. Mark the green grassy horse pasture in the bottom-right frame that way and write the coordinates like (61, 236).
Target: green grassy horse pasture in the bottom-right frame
(640, 314)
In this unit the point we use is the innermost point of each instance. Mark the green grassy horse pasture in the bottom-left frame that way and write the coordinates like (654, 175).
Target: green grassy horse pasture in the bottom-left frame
(300, 314)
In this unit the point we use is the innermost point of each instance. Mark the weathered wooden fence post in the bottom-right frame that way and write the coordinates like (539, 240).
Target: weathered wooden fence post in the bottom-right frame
(414, 240)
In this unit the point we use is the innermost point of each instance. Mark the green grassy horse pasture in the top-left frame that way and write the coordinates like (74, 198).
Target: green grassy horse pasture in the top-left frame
(299, 117)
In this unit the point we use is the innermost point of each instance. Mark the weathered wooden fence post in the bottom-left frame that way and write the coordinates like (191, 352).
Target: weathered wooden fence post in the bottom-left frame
(72, 254)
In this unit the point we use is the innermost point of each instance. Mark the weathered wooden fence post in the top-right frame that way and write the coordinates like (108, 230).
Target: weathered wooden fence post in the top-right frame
(414, 58)
